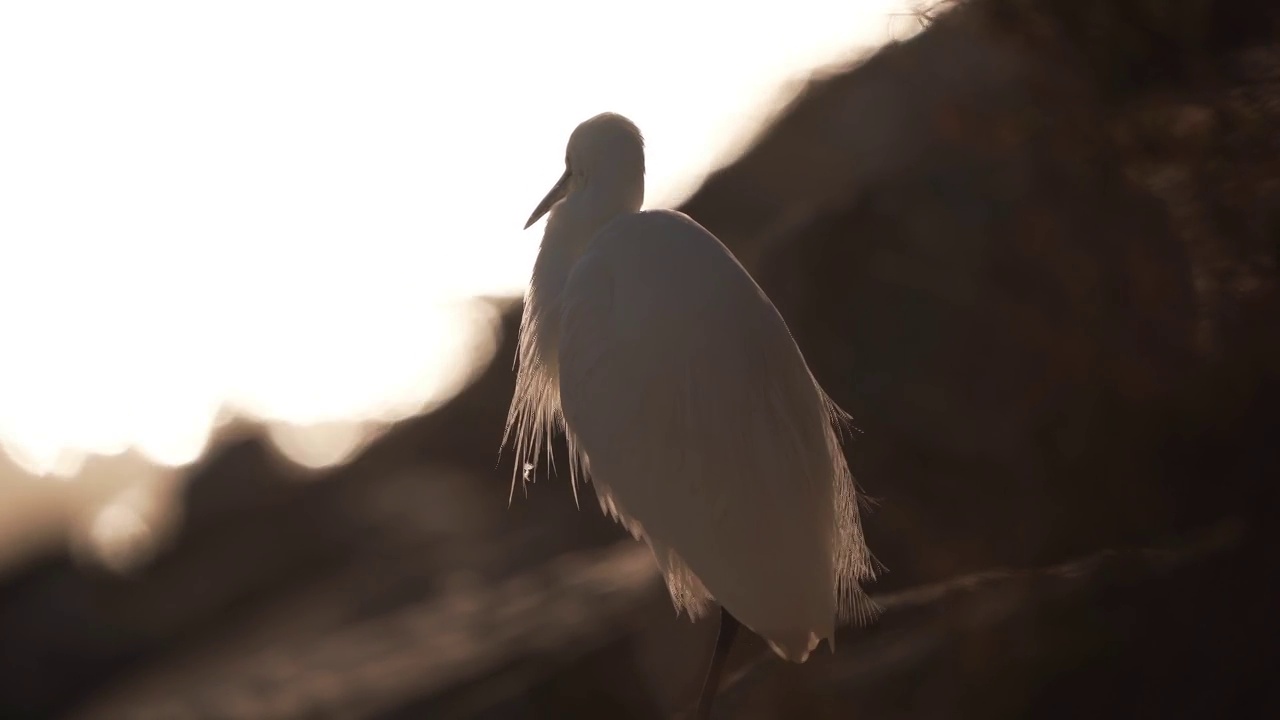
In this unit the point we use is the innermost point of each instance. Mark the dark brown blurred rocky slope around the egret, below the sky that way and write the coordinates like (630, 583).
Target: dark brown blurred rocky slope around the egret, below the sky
(1032, 252)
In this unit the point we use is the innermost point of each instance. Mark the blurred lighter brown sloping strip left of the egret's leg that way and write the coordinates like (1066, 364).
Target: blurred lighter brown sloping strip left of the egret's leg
(374, 667)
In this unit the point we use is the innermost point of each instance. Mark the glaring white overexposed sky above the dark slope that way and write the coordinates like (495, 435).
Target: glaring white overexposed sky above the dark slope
(282, 207)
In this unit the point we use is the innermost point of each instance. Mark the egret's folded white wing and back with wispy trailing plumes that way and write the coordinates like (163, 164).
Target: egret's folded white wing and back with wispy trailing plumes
(703, 431)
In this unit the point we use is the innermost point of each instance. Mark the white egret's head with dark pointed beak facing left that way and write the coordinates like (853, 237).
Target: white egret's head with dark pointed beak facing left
(607, 149)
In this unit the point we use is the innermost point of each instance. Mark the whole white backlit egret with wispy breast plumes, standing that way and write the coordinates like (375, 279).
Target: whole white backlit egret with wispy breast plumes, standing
(688, 405)
